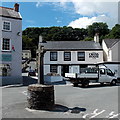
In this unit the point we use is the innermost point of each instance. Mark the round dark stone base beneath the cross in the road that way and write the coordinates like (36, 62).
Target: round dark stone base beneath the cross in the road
(40, 97)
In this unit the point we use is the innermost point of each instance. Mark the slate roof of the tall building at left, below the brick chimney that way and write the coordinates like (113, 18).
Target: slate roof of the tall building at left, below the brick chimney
(9, 13)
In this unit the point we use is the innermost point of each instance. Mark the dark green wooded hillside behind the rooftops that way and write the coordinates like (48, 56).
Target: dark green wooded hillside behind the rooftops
(31, 35)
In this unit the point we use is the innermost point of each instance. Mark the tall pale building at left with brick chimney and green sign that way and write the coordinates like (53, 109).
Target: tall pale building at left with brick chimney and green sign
(11, 45)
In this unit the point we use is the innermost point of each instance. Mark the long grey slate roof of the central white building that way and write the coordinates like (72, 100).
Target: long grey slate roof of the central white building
(72, 45)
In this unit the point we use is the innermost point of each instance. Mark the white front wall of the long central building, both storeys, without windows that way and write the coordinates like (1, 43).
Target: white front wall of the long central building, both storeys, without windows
(74, 64)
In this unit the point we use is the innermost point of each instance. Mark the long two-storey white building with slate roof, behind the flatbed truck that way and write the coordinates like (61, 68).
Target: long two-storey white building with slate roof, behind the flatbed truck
(70, 56)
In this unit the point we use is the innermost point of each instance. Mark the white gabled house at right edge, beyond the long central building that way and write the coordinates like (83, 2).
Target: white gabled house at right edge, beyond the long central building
(111, 48)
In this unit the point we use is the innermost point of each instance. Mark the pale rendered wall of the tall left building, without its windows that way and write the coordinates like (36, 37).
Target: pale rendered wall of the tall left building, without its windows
(16, 56)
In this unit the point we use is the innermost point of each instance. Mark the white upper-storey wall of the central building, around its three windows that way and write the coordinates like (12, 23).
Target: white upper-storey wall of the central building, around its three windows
(73, 58)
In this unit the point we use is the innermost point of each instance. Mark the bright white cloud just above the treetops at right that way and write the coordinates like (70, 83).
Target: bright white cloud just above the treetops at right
(85, 21)
